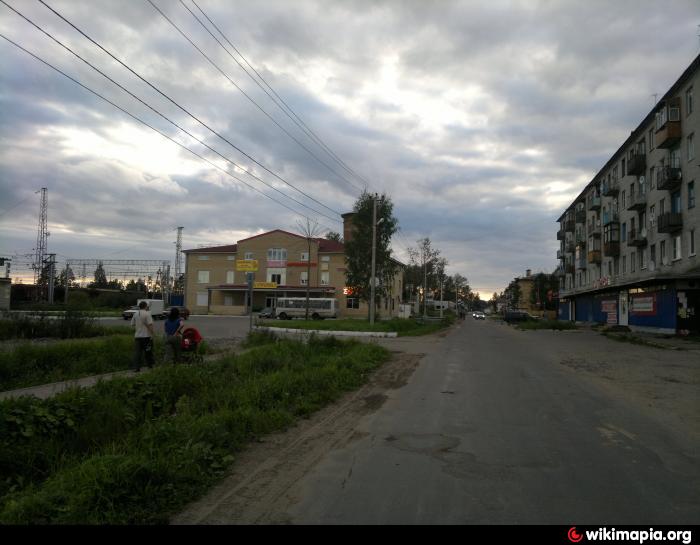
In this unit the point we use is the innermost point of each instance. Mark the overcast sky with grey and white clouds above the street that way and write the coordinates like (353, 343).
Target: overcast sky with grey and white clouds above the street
(481, 120)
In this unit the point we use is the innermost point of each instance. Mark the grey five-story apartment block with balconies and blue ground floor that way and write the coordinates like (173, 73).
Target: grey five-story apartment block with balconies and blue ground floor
(628, 242)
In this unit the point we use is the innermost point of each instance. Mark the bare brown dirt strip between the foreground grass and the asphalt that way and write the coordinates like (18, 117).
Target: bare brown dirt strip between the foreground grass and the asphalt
(257, 490)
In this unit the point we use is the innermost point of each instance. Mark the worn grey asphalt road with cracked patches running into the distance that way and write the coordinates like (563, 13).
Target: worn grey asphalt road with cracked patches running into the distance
(491, 429)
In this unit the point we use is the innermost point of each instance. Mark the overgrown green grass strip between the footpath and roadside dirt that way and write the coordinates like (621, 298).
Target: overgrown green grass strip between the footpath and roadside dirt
(136, 450)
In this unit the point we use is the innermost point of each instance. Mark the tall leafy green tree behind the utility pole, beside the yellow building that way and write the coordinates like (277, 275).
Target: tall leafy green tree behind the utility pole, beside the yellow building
(358, 250)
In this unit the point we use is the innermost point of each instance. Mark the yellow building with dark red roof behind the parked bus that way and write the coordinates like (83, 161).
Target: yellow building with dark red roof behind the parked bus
(214, 286)
